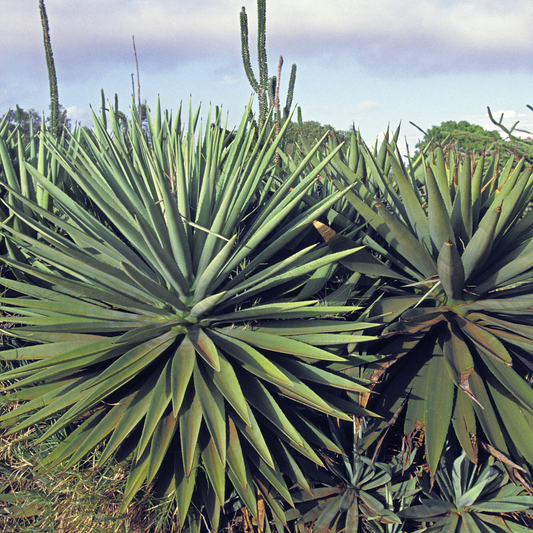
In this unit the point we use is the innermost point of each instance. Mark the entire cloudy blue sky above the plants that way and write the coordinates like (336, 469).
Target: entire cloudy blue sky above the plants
(359, 61)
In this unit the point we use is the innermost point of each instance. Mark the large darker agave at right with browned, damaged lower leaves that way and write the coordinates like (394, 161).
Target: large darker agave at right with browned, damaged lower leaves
(452, 242)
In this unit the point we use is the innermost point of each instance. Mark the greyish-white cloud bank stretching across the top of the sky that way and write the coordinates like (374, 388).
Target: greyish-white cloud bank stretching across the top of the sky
(406, 37)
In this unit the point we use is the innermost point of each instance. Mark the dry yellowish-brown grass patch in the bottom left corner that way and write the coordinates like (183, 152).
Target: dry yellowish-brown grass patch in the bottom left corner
(83, 499)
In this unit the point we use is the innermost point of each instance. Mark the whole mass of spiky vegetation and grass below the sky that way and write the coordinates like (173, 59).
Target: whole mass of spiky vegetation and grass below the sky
(266, 327)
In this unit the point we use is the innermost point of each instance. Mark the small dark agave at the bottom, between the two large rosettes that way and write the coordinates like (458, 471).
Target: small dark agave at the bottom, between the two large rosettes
(361, 494)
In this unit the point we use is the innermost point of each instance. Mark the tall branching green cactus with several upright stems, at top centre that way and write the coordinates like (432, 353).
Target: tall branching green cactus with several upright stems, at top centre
(266, 89)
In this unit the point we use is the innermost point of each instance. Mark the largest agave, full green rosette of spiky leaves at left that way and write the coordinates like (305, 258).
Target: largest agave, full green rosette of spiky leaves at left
(169, 322)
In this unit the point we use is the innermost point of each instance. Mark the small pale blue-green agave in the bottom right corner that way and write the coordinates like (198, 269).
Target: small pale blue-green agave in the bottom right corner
(468, 499)
